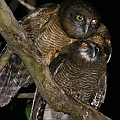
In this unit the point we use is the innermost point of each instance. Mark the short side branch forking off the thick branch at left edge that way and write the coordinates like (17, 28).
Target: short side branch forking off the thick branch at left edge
(4, 57)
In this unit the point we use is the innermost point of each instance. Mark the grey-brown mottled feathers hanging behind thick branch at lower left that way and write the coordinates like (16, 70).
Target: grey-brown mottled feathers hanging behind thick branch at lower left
(12, 77)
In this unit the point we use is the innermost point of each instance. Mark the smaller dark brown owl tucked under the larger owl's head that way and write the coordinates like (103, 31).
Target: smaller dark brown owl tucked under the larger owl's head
(80, 70)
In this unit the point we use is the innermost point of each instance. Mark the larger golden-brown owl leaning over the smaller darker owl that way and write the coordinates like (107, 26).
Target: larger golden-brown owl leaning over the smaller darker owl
(51, 27)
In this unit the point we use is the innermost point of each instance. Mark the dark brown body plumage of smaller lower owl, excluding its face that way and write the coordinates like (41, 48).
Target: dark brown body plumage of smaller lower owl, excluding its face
(78, 77)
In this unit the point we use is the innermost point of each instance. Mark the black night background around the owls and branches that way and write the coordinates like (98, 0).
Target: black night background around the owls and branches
(110, 12)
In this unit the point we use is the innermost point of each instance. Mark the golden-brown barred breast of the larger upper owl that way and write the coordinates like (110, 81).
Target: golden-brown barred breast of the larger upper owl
(48, 42)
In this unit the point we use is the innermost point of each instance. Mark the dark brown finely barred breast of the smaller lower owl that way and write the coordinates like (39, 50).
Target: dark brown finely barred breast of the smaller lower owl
(80, 80)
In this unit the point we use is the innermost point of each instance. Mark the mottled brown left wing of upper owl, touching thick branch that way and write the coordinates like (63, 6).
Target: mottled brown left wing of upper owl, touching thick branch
(33, 22)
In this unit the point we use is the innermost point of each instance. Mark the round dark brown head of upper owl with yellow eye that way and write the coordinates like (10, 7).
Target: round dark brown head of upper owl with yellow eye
(78, 18)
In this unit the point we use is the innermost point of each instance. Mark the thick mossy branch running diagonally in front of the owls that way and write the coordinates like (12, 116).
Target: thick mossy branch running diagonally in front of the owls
(17, 41)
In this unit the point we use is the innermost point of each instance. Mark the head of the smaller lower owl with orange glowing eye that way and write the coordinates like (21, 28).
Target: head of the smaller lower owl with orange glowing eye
(85, 49)
